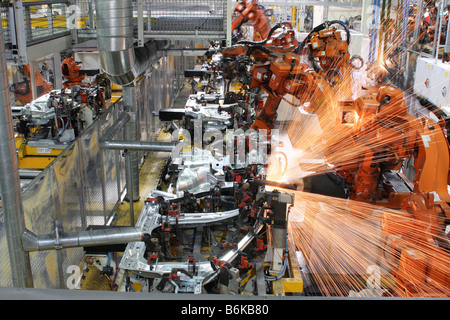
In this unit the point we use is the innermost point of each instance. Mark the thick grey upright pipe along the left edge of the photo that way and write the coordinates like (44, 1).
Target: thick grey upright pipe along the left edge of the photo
(10, 185)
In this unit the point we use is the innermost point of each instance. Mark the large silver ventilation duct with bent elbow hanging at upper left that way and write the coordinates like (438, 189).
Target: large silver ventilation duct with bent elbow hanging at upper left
(120, 59)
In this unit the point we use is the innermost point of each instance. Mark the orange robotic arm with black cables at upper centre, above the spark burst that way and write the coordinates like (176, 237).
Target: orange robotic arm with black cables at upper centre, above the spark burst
(281, 69)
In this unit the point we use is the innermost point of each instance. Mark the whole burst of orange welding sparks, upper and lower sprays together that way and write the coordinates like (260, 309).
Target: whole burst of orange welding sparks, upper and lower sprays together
(357, 248)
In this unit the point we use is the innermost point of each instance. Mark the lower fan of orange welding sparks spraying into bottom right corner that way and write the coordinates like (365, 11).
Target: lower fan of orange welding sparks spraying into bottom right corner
(348, 255)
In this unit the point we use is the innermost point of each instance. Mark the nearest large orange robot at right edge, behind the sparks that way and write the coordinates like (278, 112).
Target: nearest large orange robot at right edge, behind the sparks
(389, 139)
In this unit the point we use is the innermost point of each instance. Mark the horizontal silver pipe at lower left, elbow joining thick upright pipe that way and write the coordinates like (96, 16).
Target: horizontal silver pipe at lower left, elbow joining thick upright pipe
(85, 238)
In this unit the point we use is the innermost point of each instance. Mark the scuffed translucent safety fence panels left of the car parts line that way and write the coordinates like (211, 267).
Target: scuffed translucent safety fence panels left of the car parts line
(82, 187)
